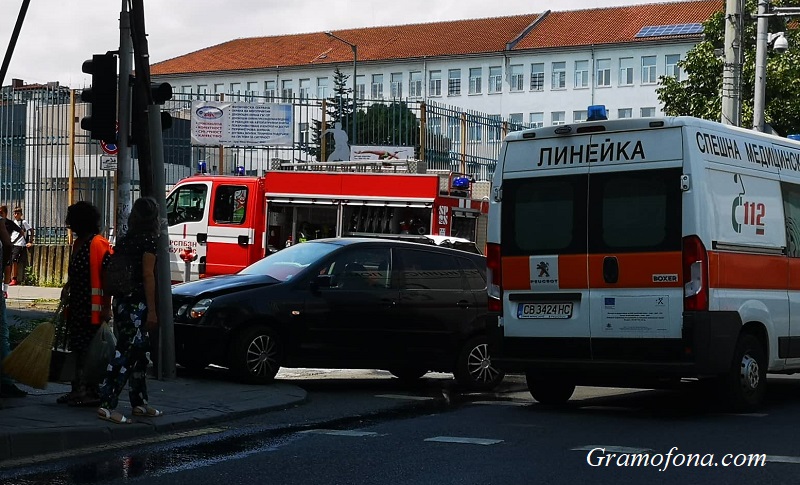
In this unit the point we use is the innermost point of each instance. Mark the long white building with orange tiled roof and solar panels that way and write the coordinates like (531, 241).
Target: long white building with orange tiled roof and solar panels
(535, 69)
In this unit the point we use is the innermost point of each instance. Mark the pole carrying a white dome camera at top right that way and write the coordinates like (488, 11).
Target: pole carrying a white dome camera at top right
(764, 41)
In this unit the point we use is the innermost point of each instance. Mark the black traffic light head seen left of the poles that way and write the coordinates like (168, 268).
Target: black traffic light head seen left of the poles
(102, 121)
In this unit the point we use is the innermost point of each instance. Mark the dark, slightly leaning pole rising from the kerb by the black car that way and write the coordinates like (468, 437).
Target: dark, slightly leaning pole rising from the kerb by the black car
(149, 139)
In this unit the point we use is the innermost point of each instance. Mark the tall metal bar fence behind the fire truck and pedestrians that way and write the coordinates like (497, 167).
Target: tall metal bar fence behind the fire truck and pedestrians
(41, 142)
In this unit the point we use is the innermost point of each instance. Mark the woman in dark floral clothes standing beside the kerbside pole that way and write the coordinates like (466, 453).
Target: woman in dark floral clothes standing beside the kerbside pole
(134, 317)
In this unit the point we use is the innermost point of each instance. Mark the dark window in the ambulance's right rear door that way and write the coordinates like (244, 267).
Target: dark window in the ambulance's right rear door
(635, 211)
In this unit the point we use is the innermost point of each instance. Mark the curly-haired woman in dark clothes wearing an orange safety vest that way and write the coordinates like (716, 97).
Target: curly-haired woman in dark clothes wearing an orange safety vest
(87, 307)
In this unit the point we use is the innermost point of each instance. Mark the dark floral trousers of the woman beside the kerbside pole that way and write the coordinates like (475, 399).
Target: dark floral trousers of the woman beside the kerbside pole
(131, 358)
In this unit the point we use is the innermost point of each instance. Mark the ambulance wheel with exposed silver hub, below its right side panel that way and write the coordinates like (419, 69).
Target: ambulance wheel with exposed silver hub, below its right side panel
(746, 383)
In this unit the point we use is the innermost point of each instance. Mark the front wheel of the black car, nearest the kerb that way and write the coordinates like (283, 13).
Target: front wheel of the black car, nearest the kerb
(255, 354)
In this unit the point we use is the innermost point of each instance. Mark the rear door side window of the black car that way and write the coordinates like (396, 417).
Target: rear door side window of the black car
(428, 270)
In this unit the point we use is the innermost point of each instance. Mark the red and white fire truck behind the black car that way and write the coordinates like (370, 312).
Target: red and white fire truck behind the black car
(230, 222)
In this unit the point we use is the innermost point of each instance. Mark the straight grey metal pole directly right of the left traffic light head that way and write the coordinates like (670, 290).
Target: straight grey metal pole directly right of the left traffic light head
(124, 167)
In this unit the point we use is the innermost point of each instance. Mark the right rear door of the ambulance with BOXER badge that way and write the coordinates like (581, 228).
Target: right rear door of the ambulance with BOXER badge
(634, 229)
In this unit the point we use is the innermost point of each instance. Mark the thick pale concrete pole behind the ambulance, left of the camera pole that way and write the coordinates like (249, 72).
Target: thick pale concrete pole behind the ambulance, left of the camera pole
(732, 70)
